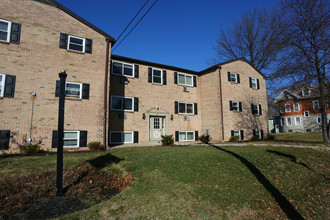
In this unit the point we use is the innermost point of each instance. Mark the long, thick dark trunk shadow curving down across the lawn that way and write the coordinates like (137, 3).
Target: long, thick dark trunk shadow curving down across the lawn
(283, 202)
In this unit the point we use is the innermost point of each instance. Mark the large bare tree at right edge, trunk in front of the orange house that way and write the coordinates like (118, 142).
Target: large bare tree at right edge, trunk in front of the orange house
(303, 29)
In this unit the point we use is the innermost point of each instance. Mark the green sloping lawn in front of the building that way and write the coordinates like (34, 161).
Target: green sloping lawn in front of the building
(207, 182)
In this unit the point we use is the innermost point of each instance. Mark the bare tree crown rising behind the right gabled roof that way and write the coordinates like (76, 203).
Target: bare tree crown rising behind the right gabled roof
(250, 37)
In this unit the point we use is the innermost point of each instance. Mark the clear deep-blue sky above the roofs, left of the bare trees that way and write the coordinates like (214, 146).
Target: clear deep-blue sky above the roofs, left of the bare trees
(179, 33)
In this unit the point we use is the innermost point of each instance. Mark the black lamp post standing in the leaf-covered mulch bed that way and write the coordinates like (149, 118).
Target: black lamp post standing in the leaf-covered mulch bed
(60, 136)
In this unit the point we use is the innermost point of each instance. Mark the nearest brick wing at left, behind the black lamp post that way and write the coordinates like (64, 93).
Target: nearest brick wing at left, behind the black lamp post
(37, 40)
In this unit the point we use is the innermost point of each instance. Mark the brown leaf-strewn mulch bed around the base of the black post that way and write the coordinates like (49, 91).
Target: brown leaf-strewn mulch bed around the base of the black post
(32, 196)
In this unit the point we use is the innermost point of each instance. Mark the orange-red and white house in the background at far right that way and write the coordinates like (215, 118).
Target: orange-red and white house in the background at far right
(300, 110)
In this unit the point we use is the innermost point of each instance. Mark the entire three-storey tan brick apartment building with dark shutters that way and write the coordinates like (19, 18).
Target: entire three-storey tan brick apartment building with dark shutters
(109, 97)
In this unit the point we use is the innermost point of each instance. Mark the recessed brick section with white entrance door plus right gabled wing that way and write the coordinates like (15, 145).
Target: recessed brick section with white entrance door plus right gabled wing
(149, 100)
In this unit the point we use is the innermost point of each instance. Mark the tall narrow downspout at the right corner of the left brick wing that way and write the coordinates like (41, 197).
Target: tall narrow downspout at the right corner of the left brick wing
(106, 95)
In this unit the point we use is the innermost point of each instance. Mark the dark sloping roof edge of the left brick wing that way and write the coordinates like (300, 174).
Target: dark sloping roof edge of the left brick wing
(74, 15)
